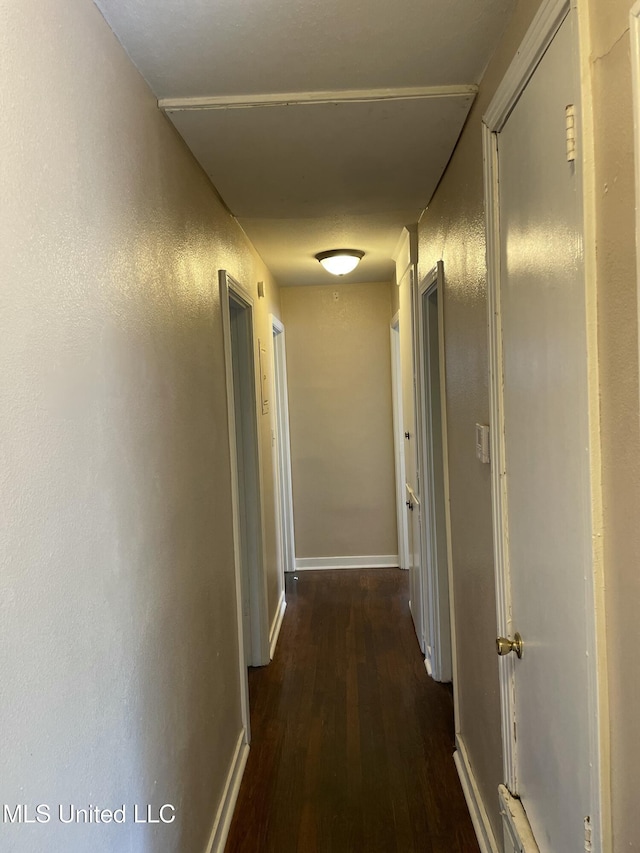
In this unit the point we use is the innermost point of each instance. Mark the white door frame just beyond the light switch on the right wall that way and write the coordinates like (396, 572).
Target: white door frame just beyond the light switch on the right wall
(437, 578)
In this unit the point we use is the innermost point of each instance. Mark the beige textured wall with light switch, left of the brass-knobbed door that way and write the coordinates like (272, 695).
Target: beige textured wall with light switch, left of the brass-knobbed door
(452, 229)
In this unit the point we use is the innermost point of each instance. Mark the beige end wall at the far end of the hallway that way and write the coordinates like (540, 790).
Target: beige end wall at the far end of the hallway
(339, 373)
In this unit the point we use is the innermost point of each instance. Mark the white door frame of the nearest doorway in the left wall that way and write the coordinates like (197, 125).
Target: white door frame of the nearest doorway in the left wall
(231, 290)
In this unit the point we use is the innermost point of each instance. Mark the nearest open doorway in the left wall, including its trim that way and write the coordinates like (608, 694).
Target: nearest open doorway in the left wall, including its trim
(237, 321)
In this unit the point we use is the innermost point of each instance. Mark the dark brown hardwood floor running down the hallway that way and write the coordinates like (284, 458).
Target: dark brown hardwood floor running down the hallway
(352, 742)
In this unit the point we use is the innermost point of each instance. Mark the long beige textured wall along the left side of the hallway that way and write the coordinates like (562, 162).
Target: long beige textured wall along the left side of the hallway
(119, 662)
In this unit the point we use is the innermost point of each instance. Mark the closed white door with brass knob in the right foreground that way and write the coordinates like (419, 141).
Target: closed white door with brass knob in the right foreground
(546, 509)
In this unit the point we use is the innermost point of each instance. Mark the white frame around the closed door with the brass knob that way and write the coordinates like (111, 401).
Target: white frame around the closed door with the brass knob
(538, 38)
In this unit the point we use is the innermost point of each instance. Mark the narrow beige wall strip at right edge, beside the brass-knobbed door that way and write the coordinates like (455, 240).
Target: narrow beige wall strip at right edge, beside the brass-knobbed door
(609, 64)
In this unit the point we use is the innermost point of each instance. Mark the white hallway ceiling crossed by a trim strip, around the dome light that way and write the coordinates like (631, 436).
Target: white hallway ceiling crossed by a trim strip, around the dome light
(346, 168)
